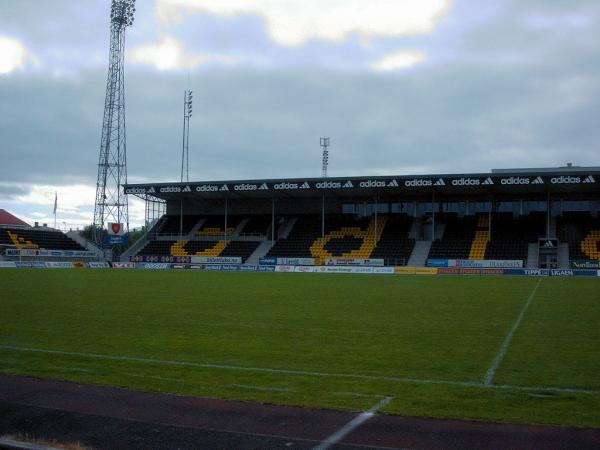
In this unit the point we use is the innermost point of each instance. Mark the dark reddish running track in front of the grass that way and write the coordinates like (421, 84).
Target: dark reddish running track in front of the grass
(113, 418)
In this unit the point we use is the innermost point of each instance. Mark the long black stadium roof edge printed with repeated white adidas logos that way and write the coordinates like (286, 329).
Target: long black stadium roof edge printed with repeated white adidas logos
(570, 180)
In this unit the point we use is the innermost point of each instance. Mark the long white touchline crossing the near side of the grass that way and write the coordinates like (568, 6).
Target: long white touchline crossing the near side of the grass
(470, 384)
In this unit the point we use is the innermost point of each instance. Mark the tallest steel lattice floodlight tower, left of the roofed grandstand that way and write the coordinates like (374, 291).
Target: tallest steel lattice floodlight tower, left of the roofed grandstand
(111, 201)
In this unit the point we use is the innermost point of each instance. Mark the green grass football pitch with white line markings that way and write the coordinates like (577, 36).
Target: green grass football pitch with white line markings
(332, 341)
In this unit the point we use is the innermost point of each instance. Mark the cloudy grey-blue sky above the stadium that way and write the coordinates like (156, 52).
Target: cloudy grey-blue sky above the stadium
(400, 87)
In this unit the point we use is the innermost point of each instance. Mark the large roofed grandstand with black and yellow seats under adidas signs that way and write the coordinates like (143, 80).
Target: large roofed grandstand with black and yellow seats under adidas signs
(544, 218)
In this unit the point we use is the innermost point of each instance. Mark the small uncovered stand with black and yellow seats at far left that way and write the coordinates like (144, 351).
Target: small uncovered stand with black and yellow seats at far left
(20, 241)
